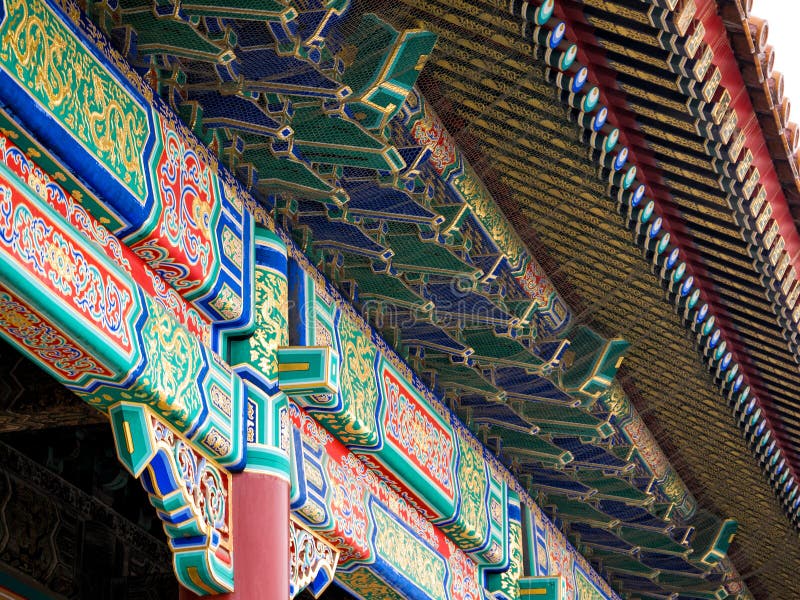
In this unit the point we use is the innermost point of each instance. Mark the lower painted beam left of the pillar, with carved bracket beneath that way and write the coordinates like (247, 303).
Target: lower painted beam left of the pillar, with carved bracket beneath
(69, 302)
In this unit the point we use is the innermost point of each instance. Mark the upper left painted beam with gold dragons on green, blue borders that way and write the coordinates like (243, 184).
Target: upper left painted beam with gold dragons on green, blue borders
(65, 84)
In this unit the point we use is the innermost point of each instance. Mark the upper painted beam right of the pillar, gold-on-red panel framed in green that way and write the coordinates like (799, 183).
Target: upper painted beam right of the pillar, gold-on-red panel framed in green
(388, 418)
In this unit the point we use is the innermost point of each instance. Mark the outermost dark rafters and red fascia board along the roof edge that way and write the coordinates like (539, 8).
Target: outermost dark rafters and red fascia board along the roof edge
(753, 165)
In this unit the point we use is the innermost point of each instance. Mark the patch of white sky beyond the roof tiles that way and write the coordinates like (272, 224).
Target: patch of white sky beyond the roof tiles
(784, 35)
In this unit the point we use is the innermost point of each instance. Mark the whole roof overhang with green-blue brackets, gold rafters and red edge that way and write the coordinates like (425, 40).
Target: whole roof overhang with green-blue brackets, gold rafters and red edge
(385, 142)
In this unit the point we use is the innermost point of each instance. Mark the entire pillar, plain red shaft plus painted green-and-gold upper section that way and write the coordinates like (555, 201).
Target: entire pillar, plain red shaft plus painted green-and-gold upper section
(260, 494)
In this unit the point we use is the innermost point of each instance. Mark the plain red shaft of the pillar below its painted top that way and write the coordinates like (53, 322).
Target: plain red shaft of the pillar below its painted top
(260, 540)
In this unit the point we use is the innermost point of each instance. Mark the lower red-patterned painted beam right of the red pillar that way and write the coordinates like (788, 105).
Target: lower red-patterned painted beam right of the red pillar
(385, 543)
